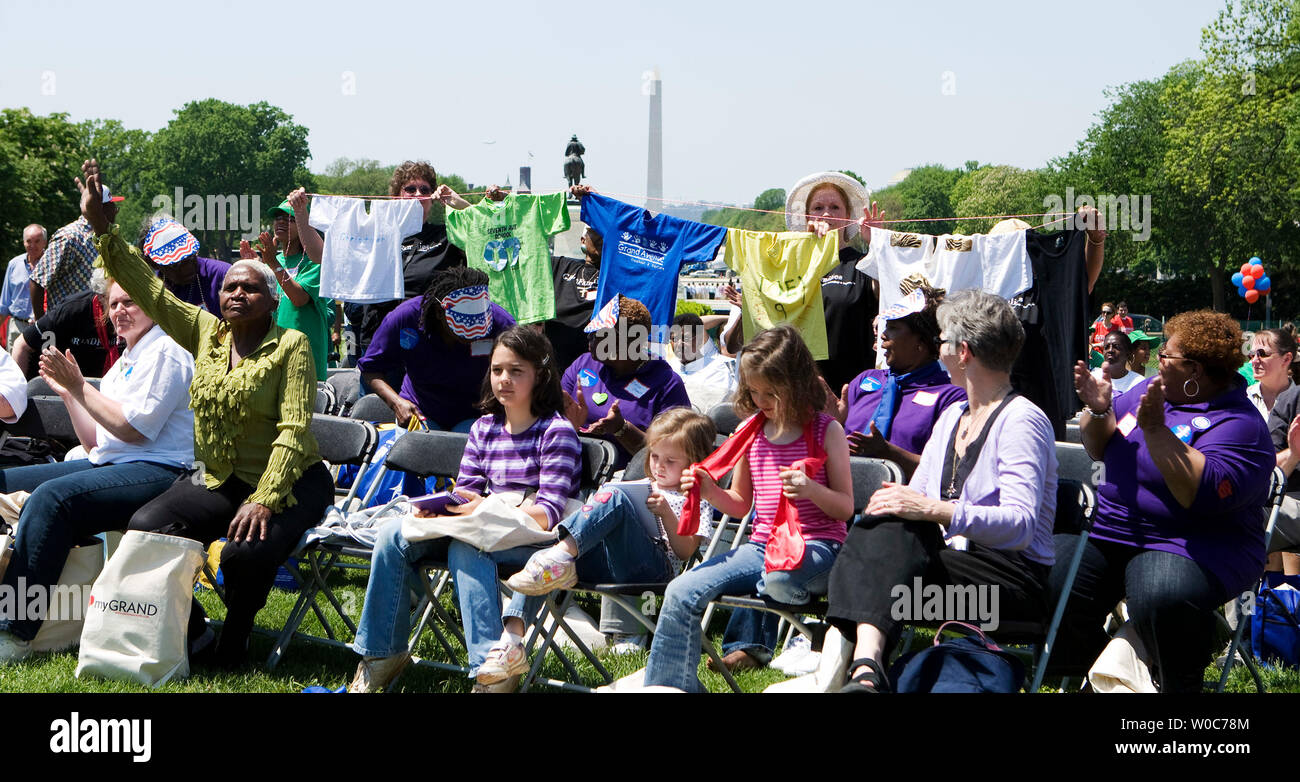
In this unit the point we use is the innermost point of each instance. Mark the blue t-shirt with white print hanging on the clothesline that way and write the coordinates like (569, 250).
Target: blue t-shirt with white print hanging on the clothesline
(644, 255)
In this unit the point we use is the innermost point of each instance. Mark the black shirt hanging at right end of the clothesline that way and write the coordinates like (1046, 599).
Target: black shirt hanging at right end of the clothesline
(1056, 331)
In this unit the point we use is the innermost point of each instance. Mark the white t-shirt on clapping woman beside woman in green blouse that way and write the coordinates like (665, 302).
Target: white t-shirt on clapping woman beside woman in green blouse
(151, 381)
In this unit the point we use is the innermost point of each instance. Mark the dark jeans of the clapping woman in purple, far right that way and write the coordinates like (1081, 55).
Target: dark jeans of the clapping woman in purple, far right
(1172, 603)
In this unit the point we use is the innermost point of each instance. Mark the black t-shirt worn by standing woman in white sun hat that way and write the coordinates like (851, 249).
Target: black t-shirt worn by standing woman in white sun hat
(850, 310)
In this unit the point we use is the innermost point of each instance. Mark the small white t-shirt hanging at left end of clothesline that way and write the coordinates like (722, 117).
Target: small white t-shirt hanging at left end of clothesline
(362, 263)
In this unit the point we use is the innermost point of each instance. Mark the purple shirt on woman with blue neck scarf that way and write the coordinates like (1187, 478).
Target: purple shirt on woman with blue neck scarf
(922, 405)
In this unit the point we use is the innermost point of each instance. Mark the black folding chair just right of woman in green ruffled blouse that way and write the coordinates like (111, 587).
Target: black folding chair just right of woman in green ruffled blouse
(341, 441)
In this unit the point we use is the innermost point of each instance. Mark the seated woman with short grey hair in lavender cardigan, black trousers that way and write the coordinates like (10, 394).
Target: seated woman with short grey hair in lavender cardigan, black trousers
(978, 511)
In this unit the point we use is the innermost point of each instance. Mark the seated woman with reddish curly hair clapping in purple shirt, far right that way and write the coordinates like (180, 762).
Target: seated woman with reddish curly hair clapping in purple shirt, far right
(1180, 525)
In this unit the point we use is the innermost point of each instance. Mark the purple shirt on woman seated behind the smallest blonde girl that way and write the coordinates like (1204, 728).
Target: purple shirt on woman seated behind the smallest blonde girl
(653, 389)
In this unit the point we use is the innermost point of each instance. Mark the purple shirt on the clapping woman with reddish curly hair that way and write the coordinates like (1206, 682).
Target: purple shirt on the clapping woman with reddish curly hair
(1224, 529)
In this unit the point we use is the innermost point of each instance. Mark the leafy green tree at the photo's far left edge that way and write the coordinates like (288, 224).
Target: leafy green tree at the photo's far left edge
(40, 158)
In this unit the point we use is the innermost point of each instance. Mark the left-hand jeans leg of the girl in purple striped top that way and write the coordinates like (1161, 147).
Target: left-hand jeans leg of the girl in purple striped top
(387, 611)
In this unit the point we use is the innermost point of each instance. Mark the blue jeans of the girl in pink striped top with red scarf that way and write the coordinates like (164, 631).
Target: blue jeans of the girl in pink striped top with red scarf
(675, 653)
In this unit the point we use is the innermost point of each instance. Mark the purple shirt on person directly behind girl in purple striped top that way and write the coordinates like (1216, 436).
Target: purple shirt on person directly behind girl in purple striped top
(445, 381)
